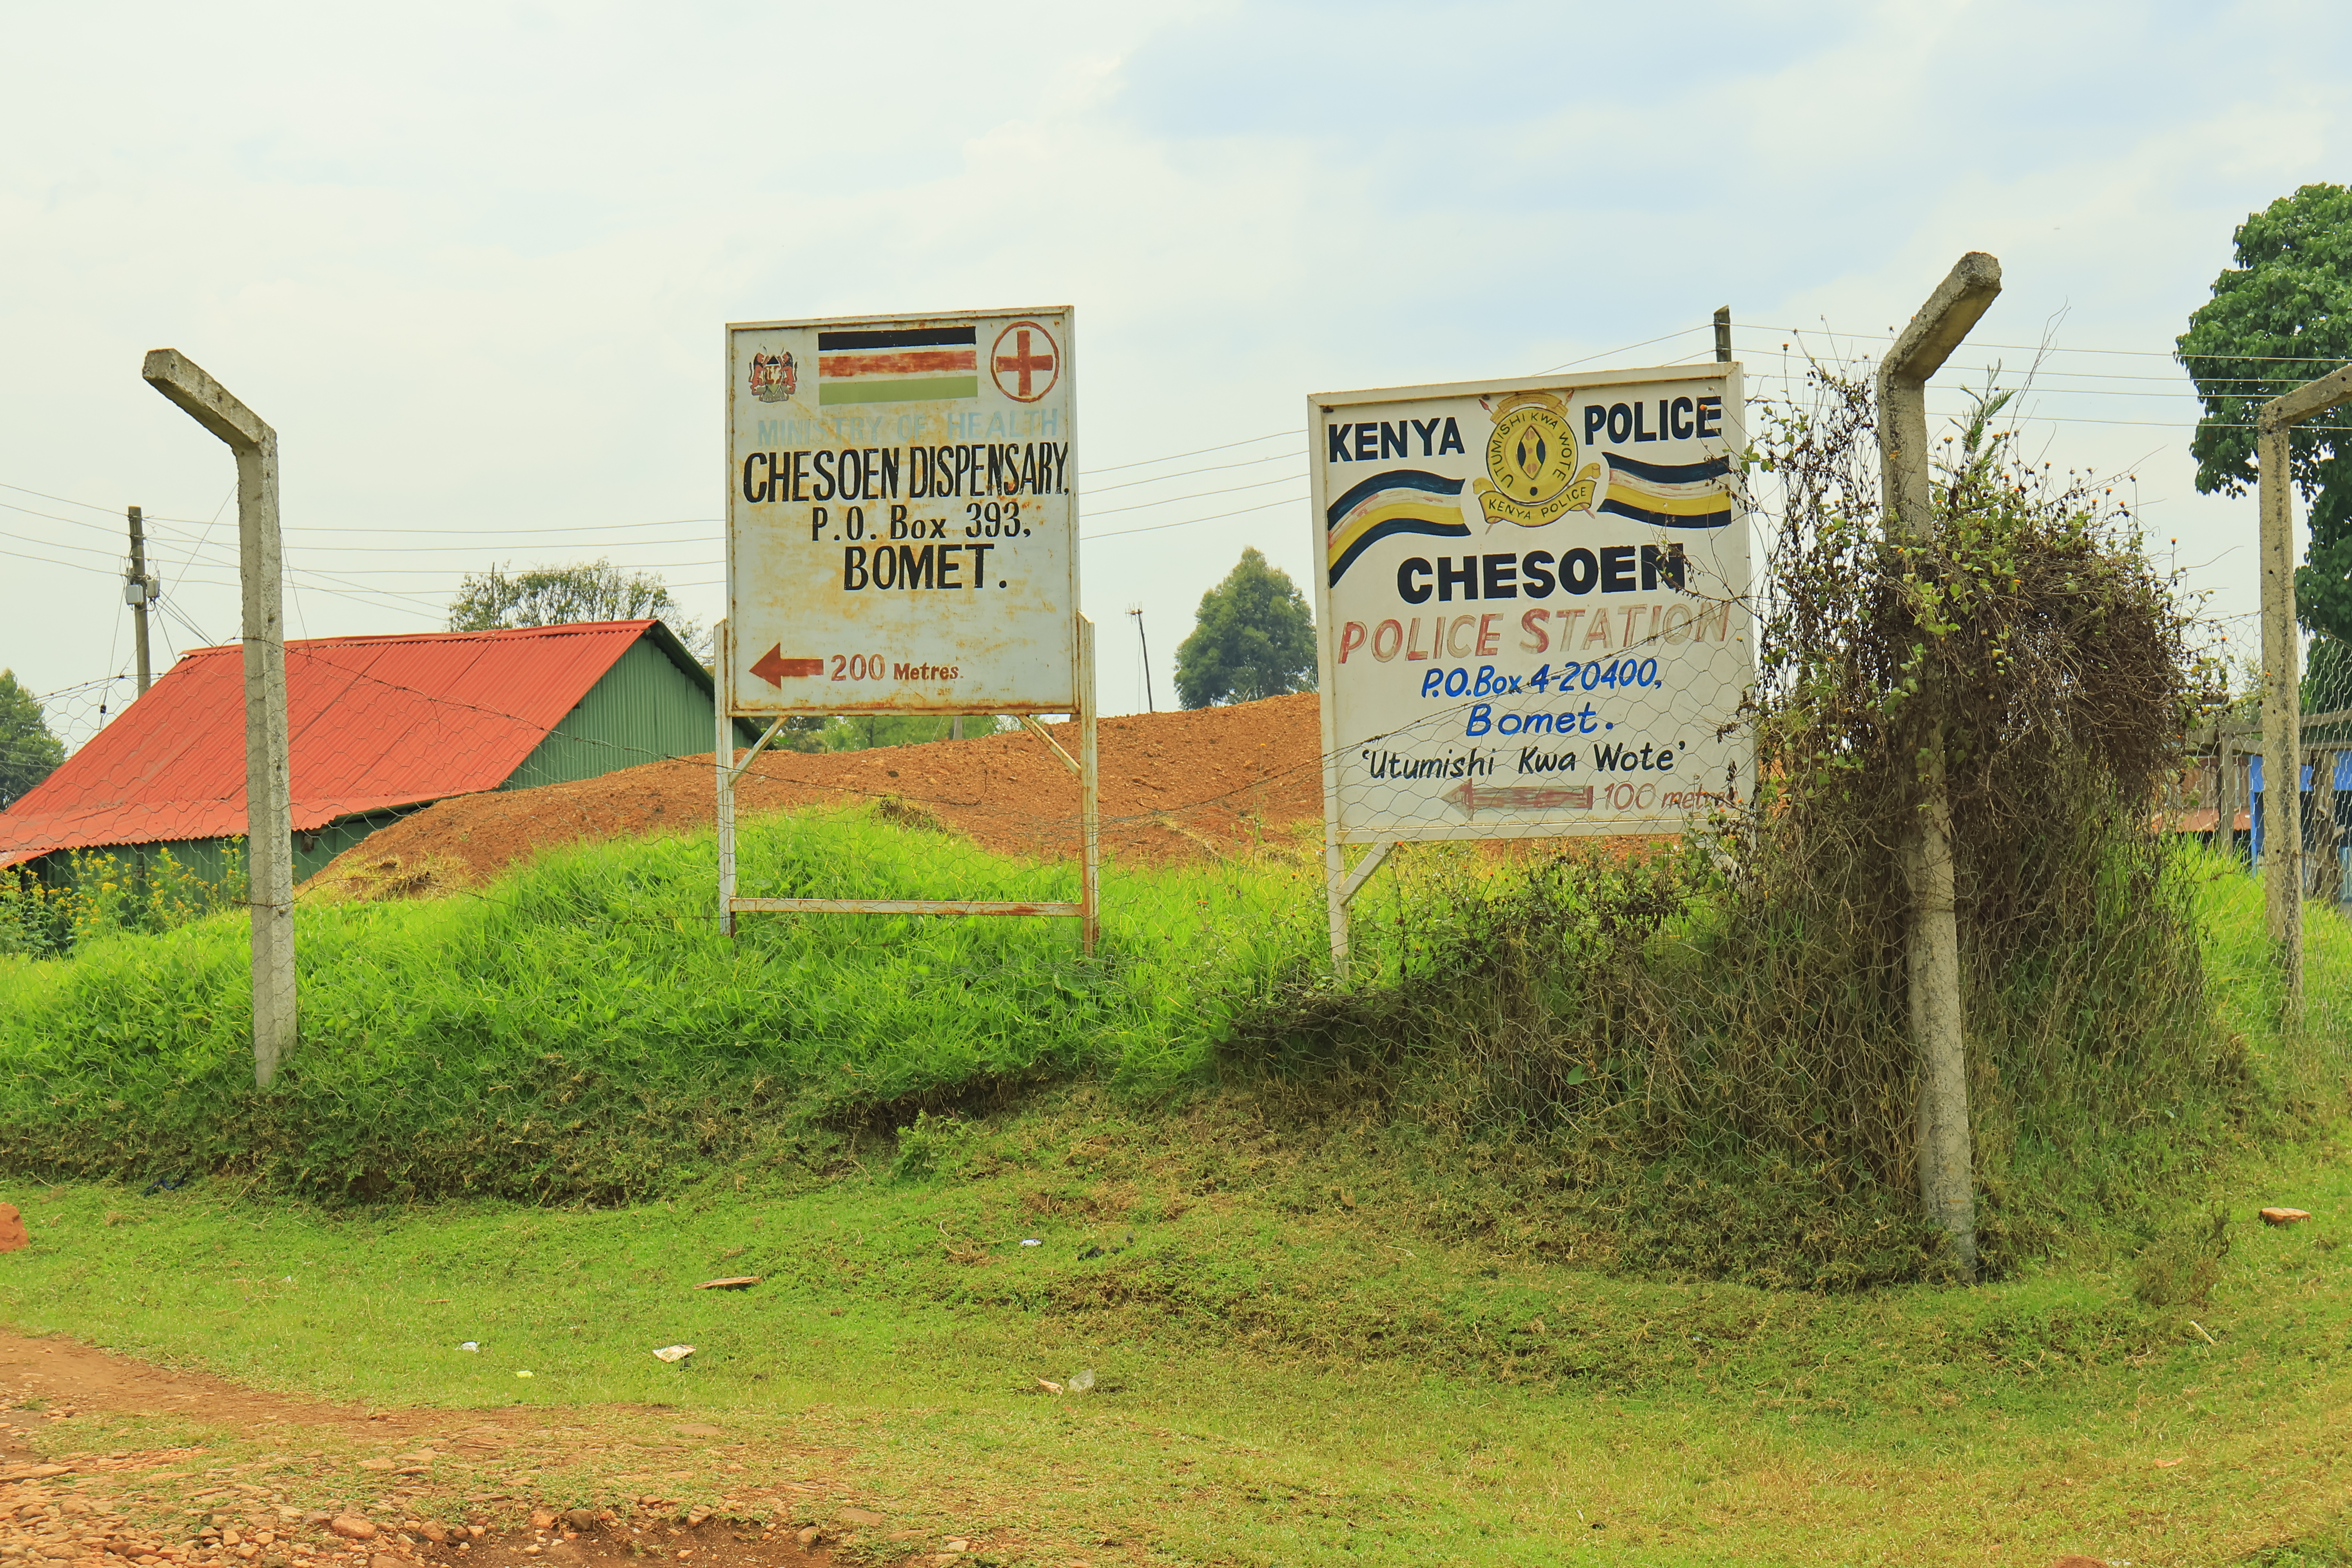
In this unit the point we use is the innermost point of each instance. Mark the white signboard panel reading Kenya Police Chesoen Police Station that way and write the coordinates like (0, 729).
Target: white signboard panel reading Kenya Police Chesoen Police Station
(1532, 605)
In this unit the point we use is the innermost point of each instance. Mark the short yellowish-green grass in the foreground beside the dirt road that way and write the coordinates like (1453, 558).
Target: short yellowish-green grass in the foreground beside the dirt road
(1285, 1376)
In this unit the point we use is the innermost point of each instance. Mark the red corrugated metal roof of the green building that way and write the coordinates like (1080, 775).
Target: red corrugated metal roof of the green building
(373, 723)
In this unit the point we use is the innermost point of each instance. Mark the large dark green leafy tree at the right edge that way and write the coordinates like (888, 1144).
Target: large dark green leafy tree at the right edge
(2283, 316)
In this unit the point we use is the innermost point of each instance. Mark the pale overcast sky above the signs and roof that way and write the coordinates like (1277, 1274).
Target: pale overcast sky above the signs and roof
(474, 260)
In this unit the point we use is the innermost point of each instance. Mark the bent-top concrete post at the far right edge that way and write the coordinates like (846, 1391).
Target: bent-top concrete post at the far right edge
(2283, 678)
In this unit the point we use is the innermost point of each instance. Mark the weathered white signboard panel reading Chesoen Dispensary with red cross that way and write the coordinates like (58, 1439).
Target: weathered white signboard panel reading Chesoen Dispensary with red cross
(900, 514)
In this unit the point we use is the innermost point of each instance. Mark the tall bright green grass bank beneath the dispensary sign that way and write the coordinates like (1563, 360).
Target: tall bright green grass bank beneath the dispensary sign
(582, 1031)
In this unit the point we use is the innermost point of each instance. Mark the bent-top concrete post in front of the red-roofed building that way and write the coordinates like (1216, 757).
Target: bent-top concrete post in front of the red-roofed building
(269, 803)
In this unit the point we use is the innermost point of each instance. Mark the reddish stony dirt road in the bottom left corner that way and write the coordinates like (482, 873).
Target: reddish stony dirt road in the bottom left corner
(107, 1461)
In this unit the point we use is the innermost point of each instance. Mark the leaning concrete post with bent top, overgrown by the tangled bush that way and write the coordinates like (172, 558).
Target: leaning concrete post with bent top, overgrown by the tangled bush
(1939, 1026)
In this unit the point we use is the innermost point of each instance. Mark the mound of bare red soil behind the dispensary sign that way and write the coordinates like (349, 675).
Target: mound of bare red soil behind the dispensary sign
(1172, 784)
